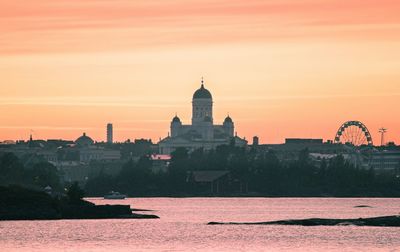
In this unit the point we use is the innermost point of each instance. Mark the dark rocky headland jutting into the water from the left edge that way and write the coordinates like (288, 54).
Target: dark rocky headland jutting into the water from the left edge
(18, 203)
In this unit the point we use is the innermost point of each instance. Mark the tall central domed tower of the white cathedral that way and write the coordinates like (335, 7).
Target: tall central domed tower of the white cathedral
(201, 105)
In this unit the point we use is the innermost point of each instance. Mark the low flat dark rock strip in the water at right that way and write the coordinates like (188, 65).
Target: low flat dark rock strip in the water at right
(382, 221)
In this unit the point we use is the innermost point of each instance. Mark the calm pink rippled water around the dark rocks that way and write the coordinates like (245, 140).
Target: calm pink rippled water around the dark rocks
(182, 227)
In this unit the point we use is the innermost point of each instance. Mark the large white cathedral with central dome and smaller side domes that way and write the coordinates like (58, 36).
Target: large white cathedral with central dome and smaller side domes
(202, 133)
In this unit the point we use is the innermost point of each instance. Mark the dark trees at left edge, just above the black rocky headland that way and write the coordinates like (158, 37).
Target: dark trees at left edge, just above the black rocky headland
(37, 174)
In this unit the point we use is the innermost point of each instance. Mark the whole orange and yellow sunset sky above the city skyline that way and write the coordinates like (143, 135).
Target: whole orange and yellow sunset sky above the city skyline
(279, 68)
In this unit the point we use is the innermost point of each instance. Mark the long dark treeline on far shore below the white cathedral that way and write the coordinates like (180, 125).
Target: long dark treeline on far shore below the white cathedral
(262, 173)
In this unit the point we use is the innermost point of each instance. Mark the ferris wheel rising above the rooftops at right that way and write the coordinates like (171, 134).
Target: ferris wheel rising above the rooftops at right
(354, 133)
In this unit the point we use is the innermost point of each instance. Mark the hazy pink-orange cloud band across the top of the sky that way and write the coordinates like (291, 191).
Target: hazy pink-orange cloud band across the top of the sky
(91, 25)
